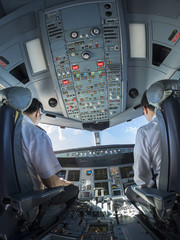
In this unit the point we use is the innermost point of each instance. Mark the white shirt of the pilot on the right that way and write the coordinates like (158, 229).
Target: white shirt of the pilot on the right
(147, 153)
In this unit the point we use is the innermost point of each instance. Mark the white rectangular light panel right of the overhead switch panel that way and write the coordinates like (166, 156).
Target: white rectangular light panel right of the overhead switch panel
(137, 35)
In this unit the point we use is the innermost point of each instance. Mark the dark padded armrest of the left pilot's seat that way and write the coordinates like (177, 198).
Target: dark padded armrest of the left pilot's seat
(26, 201)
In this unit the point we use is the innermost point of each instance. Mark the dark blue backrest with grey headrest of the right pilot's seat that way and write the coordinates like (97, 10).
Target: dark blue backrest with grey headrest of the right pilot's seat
(165, 96)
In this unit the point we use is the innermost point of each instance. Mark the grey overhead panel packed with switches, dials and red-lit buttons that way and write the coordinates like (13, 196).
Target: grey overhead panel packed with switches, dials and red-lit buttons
(85, 45)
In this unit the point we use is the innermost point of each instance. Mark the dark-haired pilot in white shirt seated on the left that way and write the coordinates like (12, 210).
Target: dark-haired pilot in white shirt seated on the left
(40, 159)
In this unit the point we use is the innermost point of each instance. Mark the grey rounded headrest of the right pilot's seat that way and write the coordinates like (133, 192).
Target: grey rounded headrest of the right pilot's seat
(161, 90)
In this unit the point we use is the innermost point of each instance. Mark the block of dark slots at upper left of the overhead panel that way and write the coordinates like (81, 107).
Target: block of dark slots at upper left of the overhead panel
(55, 30)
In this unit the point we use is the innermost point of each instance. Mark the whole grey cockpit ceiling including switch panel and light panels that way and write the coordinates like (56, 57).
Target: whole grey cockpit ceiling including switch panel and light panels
(76, 56)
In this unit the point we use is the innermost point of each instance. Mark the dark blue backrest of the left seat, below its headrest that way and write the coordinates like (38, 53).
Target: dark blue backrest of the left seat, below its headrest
(8, 178)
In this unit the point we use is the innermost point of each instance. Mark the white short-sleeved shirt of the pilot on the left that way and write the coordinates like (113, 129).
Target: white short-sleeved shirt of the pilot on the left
(38, 153)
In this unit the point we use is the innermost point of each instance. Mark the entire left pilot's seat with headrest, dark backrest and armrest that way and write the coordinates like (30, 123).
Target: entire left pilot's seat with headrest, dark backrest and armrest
(19, 203)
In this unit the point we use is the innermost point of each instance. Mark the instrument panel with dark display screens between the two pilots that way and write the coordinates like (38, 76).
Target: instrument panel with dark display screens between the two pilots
(111, 179)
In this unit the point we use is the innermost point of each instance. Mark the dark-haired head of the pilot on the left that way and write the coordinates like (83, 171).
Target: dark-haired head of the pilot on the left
(34, 111)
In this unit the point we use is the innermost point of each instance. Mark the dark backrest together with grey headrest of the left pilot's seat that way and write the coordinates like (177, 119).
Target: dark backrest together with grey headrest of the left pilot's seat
(12, 101)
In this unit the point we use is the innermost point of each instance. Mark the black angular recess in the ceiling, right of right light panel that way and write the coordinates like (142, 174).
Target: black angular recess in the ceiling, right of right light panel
(160, 53)
